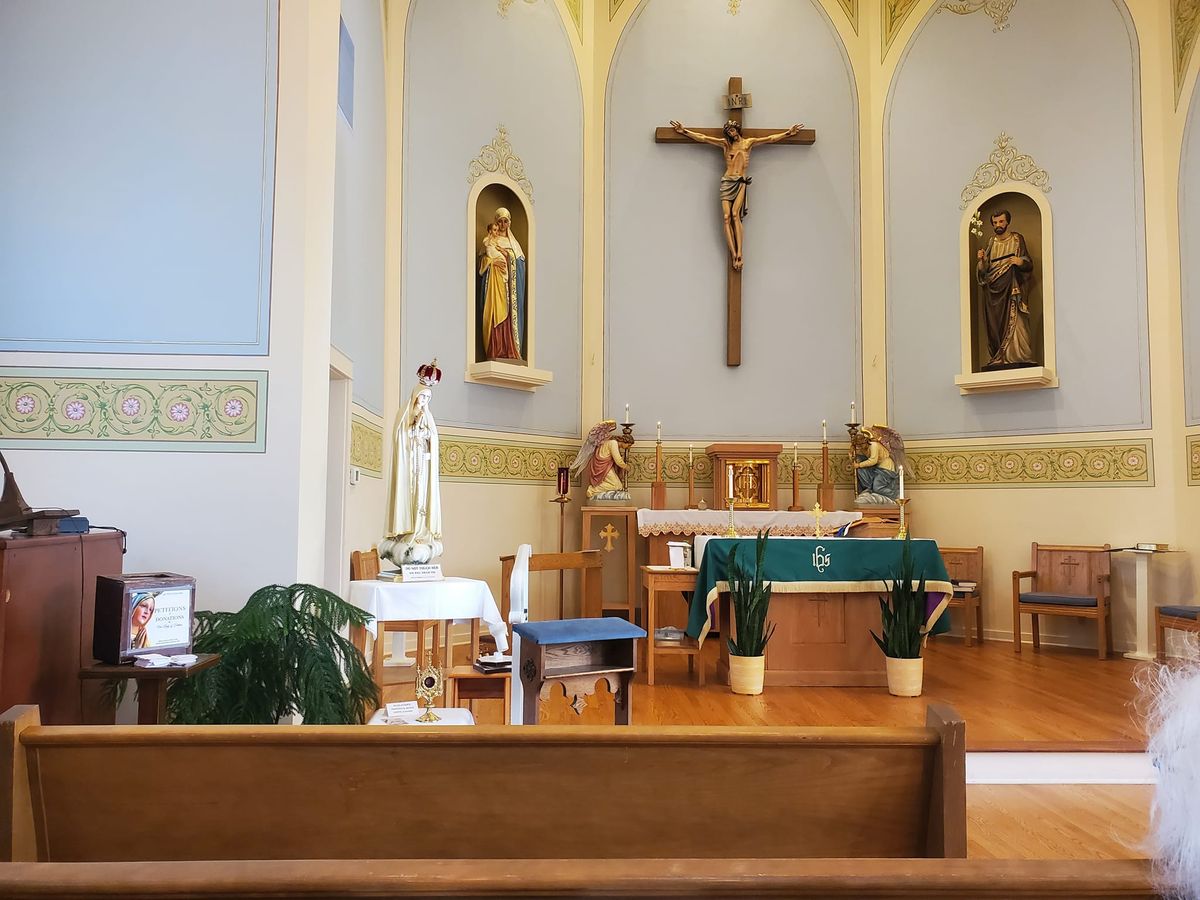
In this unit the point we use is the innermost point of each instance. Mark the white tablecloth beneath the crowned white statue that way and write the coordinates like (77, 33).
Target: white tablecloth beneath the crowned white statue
(451, 599)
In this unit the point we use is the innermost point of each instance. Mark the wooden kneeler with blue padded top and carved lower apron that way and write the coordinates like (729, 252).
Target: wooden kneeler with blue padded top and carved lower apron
(577, 655)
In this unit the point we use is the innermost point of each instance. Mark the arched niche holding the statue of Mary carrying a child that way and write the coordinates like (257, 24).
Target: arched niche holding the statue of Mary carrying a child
(494, 299)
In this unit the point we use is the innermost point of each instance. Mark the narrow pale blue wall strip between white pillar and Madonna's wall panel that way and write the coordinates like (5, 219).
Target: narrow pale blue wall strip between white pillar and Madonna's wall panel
(358, 305)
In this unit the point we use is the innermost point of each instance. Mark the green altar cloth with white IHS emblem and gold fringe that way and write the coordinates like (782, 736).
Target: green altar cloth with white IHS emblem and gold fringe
(797, 566)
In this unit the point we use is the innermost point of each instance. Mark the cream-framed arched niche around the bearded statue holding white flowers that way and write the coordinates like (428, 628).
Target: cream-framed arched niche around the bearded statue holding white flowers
(1031, 218)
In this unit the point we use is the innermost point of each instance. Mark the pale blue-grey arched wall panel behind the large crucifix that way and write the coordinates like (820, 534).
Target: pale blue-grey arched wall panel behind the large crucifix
(665, 313)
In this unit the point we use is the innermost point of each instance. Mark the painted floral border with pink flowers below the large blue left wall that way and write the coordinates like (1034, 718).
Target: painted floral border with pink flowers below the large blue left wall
(134, 410)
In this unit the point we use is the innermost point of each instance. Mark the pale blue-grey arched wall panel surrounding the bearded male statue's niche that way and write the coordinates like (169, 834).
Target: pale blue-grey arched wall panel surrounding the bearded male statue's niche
(1063, 82)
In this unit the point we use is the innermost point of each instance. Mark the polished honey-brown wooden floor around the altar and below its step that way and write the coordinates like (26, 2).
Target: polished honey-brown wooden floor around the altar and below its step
(1009, 703)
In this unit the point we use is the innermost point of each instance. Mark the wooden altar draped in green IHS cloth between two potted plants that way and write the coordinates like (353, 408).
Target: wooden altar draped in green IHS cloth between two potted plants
(825, 604)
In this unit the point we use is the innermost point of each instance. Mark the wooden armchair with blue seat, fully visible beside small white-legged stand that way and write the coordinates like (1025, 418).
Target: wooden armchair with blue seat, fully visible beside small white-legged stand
(1066, 581)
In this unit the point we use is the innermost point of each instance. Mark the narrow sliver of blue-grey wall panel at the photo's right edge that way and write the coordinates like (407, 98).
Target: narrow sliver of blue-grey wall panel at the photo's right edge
(1190, 257)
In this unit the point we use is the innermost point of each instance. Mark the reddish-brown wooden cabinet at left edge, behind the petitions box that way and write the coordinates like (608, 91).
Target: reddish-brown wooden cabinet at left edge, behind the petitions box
(47, 611)
